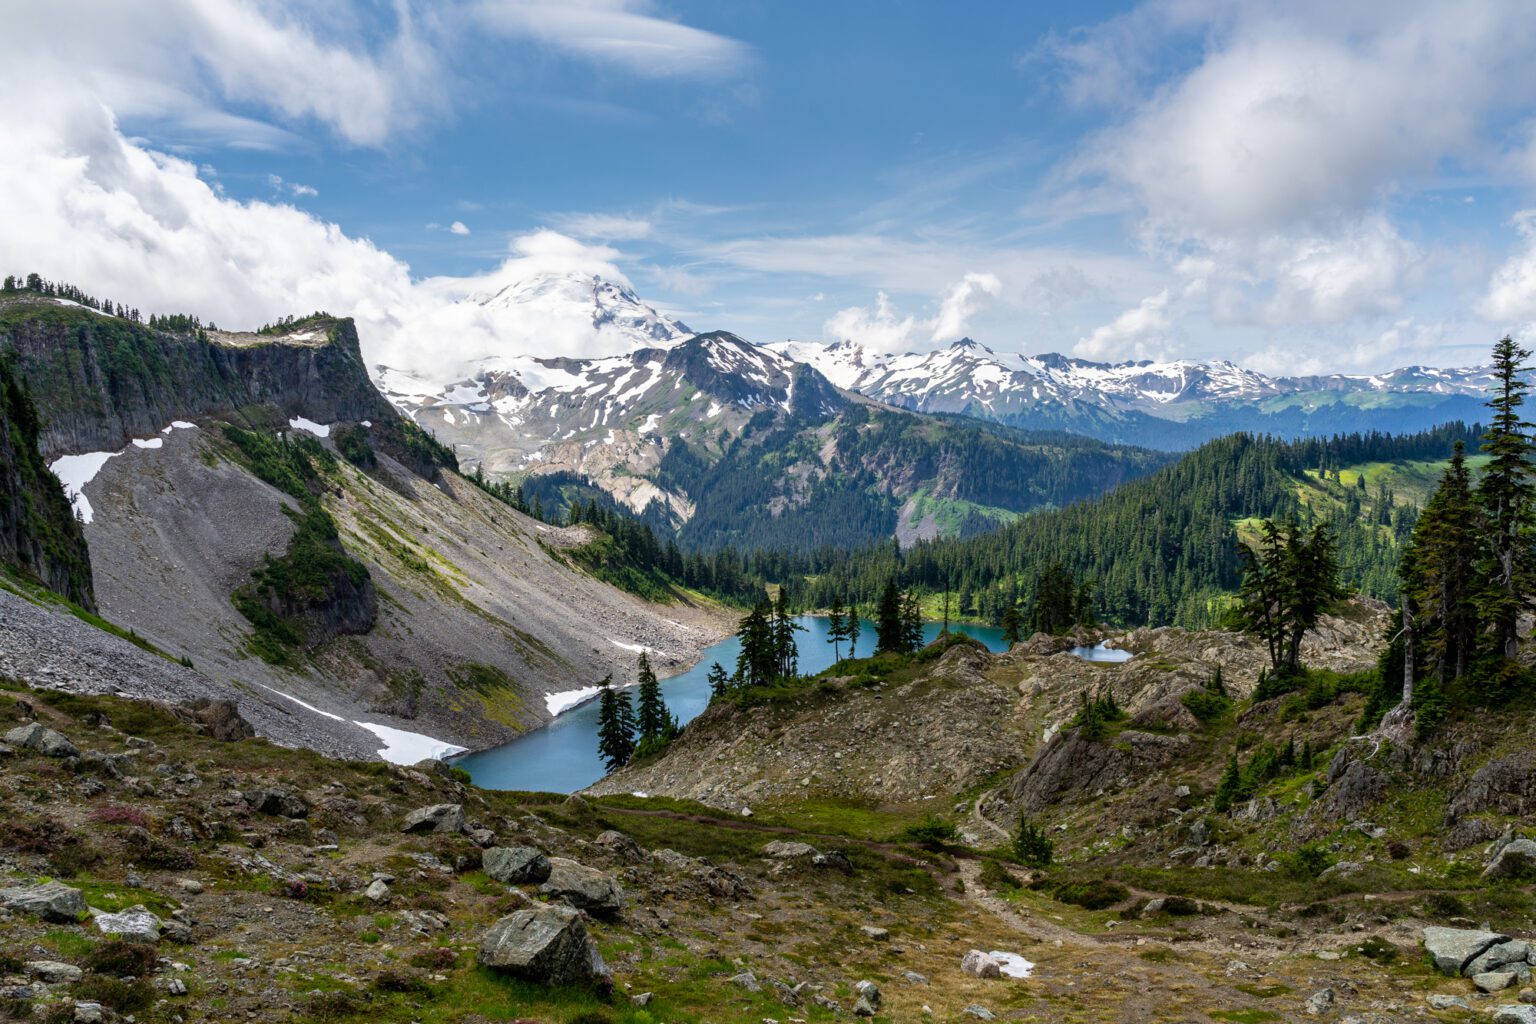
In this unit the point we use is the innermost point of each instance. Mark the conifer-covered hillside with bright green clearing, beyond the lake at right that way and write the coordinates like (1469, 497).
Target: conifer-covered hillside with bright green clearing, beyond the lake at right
(1165, 549)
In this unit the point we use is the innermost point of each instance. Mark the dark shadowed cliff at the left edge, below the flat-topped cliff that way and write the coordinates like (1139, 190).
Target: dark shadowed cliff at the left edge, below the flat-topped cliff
(39, 533)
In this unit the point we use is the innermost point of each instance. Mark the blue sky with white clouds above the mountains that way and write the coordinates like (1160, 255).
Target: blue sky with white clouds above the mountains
(1297, 187)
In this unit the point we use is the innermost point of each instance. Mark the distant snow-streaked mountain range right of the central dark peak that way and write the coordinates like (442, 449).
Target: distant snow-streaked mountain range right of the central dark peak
(1170, 405)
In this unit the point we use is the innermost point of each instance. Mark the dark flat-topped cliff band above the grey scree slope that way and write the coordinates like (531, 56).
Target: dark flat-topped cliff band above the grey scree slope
(104, 380)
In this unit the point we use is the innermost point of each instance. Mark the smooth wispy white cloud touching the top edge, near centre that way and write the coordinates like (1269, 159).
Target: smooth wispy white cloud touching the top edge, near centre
(618, 33)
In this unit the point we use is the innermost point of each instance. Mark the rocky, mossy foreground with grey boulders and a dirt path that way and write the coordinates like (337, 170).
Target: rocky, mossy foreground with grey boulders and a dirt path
(164, 865)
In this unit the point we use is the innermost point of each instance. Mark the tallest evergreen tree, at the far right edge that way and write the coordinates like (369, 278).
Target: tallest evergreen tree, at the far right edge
(1506, 498)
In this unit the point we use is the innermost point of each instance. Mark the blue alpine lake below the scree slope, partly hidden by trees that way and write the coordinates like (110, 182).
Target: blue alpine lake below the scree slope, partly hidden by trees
(563, 756)
